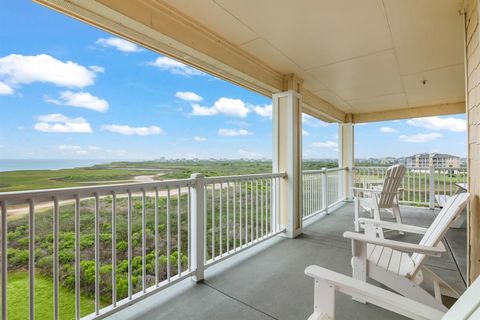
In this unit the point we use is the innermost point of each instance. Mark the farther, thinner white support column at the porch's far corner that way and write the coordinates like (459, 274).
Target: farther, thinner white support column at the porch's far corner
(346, 157)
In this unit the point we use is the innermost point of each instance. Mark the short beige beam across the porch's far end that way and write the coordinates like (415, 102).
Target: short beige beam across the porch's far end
(413, 112)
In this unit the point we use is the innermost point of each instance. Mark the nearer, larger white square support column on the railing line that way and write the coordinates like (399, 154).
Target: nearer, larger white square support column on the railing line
(287, 157)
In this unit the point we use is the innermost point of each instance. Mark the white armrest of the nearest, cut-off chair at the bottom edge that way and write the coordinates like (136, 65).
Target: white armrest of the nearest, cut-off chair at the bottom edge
(372, 294)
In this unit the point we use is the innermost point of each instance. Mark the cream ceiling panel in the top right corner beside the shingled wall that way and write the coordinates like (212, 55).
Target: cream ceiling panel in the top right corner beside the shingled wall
(426, 33)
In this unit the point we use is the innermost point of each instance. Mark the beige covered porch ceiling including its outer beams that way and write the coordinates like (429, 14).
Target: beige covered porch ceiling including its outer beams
(359, 61)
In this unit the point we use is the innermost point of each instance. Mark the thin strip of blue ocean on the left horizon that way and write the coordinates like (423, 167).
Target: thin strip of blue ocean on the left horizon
(45, 164)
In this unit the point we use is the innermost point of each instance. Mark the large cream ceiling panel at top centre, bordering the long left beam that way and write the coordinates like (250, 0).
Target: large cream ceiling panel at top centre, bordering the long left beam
(315, 33)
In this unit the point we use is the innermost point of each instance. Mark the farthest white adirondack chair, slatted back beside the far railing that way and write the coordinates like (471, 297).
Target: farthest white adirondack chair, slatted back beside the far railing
(376, 199)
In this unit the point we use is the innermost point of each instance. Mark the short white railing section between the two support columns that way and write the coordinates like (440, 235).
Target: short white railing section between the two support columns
(322, 189)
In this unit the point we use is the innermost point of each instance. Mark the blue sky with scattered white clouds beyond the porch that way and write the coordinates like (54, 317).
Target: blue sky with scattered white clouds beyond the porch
(71, 91)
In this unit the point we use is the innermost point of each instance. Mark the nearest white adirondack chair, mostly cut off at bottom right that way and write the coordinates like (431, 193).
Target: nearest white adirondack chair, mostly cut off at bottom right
(327, 282)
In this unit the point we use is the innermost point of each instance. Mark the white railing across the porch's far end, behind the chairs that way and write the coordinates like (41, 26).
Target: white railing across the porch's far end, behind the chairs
(419, 185)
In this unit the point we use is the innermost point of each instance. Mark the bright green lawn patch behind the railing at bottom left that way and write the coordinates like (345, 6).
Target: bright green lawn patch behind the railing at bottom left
(18, 299)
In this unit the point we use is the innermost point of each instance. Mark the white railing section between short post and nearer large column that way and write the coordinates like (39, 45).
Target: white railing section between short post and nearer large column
(240, 211)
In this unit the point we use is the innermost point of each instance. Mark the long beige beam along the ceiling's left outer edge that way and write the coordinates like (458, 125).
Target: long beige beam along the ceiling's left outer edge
(162, 28)
